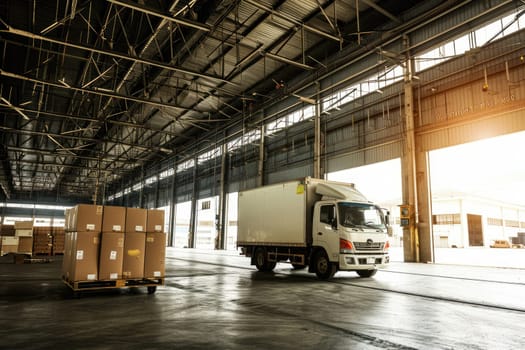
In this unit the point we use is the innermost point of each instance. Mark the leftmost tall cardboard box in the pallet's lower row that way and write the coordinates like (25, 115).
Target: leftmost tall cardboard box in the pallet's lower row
(84, 259)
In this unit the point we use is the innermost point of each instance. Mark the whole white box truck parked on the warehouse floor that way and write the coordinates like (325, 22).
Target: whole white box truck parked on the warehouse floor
(325, 225)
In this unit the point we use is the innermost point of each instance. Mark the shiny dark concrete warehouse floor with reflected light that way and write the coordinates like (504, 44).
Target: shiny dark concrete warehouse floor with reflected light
(215, 300)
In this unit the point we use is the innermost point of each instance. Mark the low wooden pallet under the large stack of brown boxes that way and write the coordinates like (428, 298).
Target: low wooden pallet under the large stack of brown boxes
(150, 283)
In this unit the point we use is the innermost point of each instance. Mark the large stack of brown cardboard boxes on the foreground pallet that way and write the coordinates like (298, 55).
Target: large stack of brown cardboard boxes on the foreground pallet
(113, 243)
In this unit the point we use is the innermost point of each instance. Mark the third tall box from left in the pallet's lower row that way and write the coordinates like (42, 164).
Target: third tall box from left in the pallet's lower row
(133, 264)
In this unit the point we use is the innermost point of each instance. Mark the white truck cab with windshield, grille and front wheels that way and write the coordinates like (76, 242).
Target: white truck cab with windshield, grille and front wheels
(349, 233)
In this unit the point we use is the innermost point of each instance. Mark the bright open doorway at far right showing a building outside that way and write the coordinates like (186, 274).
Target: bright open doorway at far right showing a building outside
(478, 198)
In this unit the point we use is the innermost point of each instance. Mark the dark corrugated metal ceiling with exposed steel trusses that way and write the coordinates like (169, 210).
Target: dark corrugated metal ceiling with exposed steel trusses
(91, 91)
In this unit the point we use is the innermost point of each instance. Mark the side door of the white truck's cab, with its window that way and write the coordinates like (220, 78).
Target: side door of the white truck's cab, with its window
(325, 231)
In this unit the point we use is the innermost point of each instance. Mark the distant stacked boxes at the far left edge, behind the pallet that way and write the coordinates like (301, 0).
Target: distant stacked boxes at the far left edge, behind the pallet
(19, 240)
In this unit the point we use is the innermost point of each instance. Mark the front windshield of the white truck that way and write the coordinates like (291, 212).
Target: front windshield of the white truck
(361, 215)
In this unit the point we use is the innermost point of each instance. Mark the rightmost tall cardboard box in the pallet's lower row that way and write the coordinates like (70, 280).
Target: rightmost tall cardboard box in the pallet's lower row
(155, 255)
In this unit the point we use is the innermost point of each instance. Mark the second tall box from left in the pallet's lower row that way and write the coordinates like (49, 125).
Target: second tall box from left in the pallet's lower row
(111, 255)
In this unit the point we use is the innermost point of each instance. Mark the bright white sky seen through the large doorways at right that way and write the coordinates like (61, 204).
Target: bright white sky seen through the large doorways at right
(493, 168)
